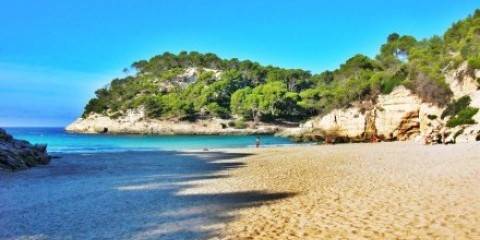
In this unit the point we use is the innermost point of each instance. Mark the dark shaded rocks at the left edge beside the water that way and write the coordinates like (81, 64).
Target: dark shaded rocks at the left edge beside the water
(19, 154)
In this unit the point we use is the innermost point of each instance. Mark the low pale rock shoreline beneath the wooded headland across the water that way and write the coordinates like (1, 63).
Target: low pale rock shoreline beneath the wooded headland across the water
(135, 122)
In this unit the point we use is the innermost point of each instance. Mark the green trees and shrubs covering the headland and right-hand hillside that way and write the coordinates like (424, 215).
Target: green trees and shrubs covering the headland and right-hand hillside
(227, 88)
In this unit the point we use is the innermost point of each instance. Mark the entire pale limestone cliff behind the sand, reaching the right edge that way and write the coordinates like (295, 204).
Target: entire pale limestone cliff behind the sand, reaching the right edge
(400, 115)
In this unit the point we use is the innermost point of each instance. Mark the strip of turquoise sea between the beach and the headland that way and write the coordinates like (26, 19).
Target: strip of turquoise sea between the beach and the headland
(60, 141)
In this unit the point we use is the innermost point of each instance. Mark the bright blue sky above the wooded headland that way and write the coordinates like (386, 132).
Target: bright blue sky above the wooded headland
(54, 54)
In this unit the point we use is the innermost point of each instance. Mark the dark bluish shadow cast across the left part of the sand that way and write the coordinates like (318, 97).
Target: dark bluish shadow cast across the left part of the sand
(130, 195)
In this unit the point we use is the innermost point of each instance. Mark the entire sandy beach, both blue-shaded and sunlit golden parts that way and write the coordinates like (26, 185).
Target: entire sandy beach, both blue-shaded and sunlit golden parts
(351, 191)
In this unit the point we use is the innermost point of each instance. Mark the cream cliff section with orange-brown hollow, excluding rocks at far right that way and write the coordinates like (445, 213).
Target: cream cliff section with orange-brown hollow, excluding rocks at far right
(395, 116)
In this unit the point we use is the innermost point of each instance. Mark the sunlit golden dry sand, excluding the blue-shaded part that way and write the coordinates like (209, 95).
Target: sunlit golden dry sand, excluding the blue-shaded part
(360, 191)
